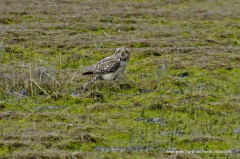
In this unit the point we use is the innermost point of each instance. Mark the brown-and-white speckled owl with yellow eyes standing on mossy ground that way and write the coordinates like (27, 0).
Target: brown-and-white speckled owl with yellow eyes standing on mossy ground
(109, 68)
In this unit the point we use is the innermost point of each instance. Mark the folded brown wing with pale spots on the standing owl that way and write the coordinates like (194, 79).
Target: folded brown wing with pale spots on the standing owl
(106, 65)
